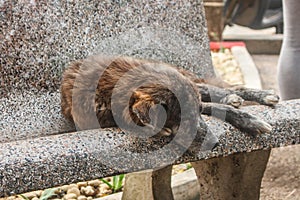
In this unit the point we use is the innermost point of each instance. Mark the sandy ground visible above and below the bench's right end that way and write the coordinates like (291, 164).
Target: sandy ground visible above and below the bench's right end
(282, 176)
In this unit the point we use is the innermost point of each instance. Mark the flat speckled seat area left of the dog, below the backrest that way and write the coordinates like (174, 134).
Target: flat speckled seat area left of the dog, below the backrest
(27, 115)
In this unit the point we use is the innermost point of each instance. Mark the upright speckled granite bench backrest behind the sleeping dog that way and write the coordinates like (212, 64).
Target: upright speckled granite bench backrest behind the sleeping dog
(38, 38)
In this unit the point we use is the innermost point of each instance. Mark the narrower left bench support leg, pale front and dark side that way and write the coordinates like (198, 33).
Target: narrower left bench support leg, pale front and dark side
(150, 184)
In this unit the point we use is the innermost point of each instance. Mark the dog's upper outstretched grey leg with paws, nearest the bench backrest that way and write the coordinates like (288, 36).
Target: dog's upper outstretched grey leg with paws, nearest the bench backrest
(235, 95)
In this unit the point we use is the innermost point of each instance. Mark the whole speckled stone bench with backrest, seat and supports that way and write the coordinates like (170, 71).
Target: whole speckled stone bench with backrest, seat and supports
(40, 149)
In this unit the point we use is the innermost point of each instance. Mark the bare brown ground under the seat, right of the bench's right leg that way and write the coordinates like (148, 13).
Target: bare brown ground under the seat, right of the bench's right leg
(282, 176)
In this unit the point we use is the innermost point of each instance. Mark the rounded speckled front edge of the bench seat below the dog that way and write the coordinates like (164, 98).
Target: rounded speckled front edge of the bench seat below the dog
(64, 158)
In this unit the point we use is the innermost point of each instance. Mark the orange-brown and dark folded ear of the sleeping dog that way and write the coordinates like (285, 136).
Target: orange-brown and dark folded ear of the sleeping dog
(142, 104)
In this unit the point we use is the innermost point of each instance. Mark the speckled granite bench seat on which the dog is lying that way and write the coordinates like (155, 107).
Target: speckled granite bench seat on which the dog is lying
(39, 148)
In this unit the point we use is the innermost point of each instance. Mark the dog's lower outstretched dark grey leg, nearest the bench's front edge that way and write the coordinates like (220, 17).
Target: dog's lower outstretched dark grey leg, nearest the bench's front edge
(236, 117)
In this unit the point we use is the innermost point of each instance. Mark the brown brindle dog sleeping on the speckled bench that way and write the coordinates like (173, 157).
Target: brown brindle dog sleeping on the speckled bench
(101, 92)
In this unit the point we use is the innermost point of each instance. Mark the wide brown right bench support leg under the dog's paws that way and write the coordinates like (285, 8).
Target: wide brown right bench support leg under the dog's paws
(233, 177)
